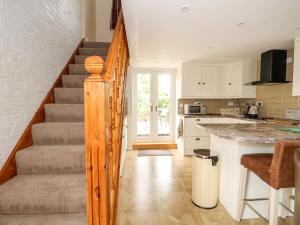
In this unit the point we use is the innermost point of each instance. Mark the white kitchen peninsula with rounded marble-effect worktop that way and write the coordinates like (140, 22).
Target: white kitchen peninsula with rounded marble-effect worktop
(230, 142)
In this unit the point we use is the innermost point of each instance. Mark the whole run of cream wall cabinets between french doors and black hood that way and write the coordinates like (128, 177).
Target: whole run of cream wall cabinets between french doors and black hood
(219, 81)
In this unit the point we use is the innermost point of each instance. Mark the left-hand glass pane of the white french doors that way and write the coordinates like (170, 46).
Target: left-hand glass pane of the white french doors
(143, 105)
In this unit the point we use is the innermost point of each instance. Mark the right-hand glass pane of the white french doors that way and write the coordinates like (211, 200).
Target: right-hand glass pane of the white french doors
(163, 104)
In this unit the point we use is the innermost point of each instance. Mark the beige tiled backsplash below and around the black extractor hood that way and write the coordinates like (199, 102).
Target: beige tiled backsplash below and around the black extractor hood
(277, 98)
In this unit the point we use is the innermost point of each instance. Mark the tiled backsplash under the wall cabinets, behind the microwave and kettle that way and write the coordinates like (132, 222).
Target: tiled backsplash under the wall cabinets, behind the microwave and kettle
(214, 105)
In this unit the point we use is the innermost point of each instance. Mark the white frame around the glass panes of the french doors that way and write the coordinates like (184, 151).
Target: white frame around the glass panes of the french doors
(152, 137)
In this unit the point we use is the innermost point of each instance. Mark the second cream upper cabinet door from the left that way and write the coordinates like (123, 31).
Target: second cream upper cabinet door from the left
(210, 81)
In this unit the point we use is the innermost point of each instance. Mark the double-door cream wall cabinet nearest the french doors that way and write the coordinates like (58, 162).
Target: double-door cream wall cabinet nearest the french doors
(200, 81)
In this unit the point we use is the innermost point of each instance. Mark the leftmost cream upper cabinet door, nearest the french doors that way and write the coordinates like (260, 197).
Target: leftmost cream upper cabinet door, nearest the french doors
(191, 79)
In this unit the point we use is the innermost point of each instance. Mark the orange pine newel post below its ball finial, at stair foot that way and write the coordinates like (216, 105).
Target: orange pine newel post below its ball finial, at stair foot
(96, 113)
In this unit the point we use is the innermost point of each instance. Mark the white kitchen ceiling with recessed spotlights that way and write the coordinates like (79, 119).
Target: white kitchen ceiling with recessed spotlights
(157, 29)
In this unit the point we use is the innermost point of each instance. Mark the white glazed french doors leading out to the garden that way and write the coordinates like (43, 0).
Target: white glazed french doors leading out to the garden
(154, 110)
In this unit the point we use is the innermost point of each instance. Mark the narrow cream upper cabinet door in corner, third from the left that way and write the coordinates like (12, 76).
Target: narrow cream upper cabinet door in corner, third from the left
(226, 81)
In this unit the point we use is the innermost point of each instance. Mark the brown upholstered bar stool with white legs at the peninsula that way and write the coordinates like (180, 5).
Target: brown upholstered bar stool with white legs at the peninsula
(277, 170)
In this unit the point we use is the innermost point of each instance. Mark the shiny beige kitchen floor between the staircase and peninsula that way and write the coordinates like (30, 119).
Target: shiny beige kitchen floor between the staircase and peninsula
(157, 191)
